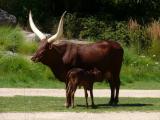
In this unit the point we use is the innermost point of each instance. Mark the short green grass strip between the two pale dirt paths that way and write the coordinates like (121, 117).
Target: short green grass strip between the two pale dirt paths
(50, 104)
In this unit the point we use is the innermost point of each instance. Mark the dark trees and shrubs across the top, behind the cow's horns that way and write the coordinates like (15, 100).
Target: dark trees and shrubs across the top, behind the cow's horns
(89, 19)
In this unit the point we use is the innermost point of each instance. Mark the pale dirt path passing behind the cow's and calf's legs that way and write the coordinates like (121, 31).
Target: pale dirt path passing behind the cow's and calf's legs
(79, 93)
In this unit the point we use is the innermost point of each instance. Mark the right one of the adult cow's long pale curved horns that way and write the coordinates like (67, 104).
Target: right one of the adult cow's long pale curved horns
(59, 31)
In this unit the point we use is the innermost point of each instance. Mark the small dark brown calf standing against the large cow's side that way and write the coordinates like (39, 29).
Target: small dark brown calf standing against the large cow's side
(80, 77)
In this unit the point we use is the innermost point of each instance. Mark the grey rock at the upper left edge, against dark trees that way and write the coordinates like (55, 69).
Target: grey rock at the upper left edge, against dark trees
(6, 18)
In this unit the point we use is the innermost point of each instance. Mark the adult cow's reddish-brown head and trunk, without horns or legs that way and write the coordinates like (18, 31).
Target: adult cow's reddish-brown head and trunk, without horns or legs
(104, 55)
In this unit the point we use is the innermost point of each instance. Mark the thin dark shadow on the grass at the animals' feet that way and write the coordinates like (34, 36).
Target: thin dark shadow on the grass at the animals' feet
(119, 105)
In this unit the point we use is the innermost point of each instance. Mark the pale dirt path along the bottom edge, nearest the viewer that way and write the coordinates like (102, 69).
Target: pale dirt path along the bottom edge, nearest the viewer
(81, 116)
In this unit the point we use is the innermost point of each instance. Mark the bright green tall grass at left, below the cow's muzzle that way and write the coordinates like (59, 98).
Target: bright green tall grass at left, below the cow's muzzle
(17, 71)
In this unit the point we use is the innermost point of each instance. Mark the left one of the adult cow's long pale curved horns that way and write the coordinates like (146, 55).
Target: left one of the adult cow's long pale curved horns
(35, 29)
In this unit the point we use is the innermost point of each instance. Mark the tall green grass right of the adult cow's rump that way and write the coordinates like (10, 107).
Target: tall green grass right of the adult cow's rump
(139, 68)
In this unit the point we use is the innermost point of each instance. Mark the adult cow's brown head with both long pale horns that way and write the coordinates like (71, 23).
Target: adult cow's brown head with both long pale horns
(45, 44)
